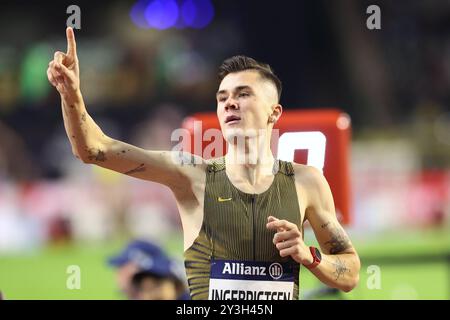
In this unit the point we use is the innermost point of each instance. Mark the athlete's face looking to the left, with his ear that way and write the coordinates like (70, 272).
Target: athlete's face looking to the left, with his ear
(246, 103)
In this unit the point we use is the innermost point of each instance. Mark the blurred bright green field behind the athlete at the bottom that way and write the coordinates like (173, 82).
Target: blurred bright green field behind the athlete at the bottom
(412, 266)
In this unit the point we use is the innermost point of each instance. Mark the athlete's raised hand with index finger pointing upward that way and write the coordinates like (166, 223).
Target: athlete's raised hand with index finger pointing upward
(63, 71)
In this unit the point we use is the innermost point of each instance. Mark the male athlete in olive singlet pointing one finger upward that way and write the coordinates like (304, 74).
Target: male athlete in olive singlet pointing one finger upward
(242, 219)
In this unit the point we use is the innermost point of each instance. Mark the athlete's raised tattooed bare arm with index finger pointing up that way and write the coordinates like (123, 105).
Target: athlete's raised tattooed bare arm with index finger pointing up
(91, 145)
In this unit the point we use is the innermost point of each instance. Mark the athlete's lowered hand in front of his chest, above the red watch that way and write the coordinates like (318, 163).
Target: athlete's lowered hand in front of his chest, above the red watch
(288, 240)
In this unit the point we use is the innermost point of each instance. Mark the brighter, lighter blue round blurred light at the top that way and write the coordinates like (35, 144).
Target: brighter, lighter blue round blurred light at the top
(162, 14)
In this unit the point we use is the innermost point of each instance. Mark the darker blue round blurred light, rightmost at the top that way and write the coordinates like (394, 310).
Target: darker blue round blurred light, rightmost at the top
(197, 13)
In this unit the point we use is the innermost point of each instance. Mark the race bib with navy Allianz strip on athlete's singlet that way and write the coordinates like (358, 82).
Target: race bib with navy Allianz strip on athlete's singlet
(250, 280)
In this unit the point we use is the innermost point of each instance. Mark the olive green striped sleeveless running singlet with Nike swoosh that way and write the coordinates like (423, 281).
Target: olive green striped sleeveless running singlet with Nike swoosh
(234, 224)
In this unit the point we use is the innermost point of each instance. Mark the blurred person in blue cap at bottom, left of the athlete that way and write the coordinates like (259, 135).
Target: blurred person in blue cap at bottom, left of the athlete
(145, 272)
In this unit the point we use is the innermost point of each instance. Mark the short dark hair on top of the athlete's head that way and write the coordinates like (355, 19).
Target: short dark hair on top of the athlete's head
(242, 63)
